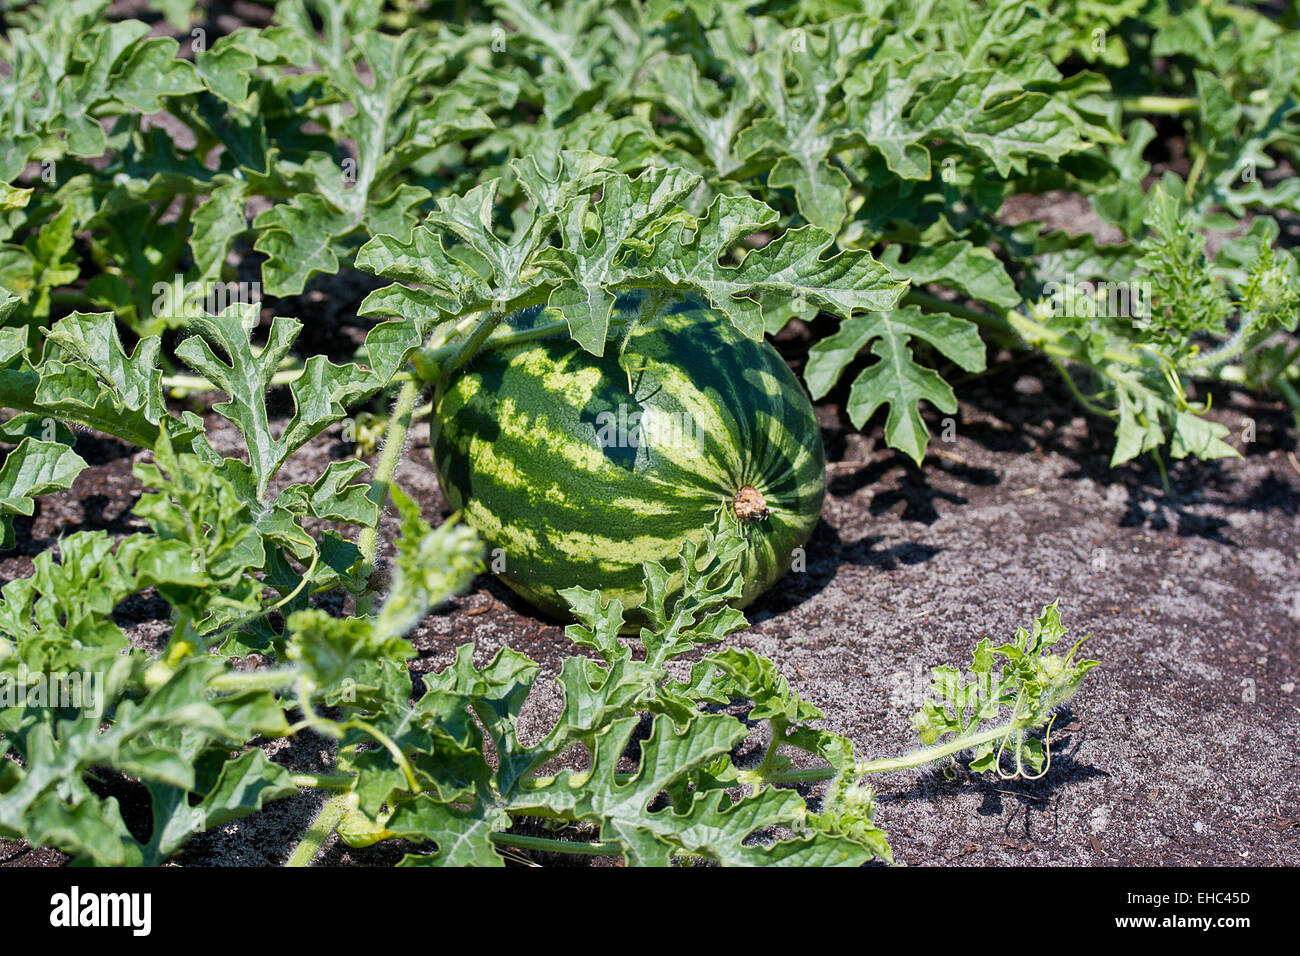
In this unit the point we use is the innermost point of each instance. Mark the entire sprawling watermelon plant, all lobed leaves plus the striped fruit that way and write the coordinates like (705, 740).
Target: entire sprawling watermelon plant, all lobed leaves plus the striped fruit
(573, 227)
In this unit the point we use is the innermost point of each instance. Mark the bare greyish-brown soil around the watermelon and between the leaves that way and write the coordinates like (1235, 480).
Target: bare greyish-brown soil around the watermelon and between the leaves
(1180, 750)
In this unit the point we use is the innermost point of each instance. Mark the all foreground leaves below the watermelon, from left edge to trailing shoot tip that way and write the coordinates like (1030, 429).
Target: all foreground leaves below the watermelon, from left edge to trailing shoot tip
(447, 769)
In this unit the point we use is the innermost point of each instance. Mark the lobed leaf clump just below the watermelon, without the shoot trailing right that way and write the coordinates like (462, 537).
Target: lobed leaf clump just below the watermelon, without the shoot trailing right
(677, 803)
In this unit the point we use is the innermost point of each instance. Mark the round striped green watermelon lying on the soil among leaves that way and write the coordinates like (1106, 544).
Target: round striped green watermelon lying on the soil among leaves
(575, 469)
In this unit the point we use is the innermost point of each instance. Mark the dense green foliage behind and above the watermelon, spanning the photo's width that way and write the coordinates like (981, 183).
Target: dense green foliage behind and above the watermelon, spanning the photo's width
(759, 157)
